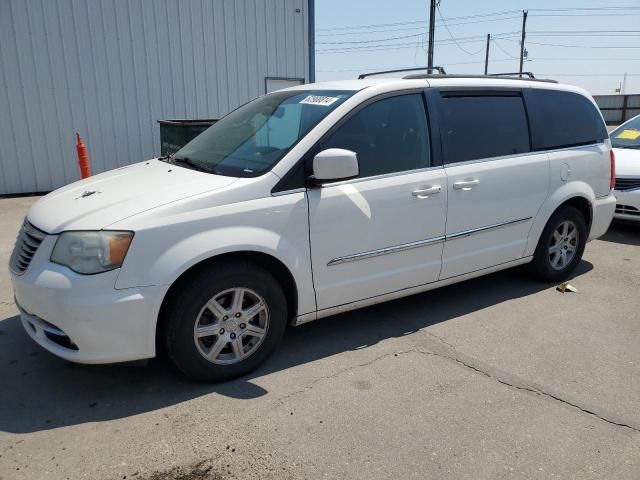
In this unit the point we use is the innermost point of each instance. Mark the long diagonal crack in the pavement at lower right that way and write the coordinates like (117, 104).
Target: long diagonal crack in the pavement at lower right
(513, 382)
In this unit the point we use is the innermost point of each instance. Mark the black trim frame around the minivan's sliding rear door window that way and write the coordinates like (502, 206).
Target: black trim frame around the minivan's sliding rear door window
(445, 92)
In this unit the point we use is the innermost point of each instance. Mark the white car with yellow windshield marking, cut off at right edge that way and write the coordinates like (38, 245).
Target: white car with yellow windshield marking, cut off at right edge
(626, 144)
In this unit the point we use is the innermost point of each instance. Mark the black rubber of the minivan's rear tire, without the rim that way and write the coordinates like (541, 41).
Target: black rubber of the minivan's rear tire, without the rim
(541, 261)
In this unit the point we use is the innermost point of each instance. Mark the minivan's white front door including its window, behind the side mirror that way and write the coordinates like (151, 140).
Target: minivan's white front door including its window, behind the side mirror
(384, 230)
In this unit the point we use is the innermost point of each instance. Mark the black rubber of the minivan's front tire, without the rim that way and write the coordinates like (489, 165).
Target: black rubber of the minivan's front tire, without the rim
(187, 304)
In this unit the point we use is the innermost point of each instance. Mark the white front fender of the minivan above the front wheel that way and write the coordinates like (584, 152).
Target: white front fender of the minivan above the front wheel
(276, 226)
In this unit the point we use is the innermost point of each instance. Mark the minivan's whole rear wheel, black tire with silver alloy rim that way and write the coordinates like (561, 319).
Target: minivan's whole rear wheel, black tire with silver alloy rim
(561, 245)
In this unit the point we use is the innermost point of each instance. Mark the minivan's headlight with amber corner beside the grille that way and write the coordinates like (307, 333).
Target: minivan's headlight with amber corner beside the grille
(91, 252)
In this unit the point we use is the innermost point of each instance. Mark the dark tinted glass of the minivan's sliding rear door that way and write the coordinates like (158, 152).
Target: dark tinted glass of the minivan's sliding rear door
(483, 126)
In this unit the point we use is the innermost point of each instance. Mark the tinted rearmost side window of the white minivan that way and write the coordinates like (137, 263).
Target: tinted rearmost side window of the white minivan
(563, 119)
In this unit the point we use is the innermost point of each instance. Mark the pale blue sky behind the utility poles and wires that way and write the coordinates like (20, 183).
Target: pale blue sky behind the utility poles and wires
(586, 43)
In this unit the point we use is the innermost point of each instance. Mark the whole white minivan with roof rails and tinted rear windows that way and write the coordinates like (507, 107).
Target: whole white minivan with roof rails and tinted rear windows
(311, 201)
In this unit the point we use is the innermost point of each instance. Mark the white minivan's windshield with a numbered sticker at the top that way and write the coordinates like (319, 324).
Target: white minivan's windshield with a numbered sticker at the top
(252, 139)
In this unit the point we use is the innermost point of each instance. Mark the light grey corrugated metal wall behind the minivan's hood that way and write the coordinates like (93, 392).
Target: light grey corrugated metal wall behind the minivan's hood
(111, 68)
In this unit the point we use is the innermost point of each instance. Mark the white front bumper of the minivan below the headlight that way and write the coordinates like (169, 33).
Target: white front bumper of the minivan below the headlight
(101, 324)
